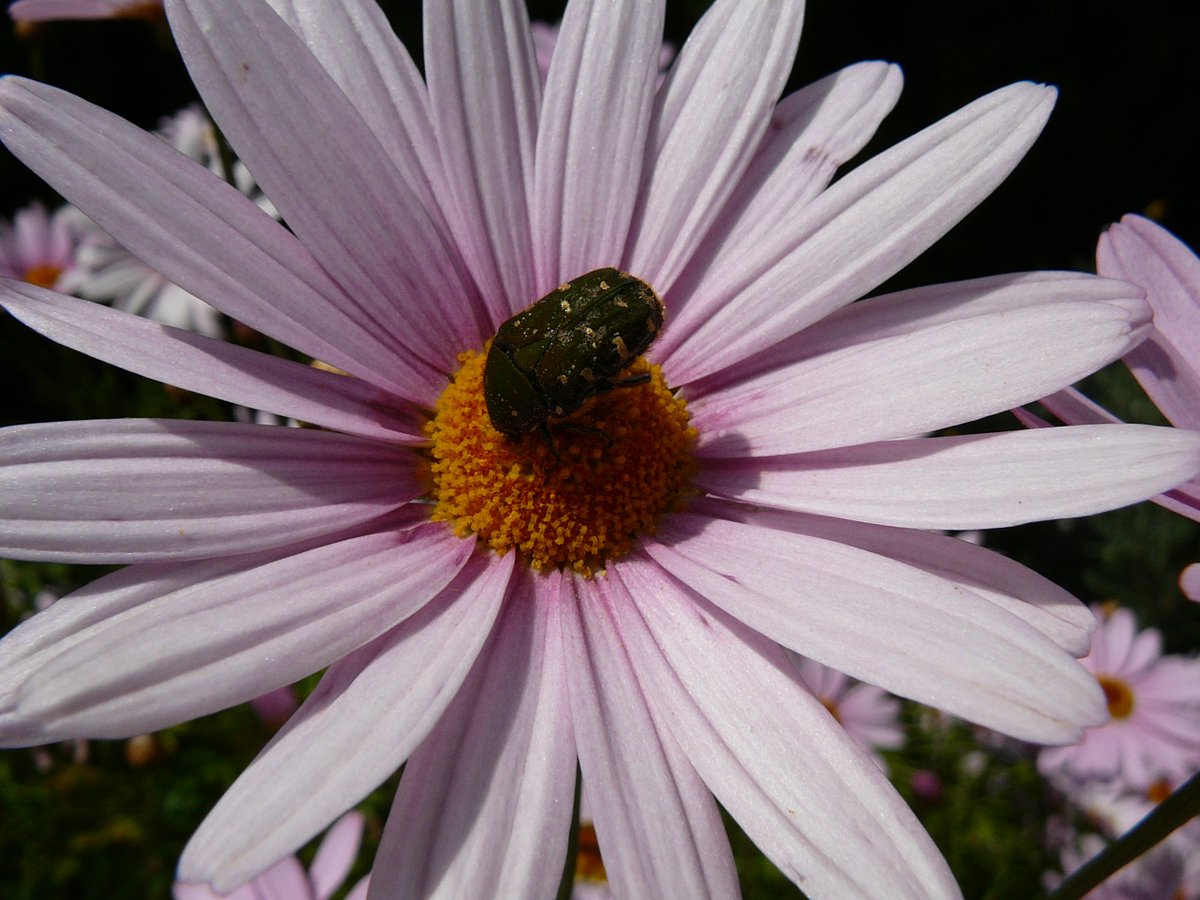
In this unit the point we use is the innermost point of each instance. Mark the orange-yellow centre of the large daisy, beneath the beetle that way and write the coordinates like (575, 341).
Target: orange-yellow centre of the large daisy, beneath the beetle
(623, 460)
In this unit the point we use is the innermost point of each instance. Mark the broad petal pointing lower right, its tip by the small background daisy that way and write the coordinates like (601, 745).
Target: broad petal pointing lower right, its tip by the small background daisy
(886, 623)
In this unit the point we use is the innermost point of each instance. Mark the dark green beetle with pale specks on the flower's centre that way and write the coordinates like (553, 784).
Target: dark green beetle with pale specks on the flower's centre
(569, 346)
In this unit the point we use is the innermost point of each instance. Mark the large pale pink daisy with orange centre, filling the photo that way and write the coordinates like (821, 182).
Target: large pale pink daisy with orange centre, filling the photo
(494, 615)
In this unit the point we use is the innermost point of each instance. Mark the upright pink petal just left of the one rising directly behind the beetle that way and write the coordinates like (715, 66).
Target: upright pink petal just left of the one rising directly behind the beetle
(484, 98)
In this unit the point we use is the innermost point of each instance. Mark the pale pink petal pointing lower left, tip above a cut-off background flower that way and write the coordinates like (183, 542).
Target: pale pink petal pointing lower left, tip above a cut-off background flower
(364, 719)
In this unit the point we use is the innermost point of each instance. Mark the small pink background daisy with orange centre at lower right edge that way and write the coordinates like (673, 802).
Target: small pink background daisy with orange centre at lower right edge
(1155, 707)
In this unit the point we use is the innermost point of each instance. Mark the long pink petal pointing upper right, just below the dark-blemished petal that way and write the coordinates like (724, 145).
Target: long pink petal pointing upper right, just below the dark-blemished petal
(861, 231)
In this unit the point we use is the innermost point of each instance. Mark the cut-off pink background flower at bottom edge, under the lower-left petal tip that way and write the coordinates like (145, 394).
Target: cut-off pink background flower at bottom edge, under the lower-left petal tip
(287, 880)
